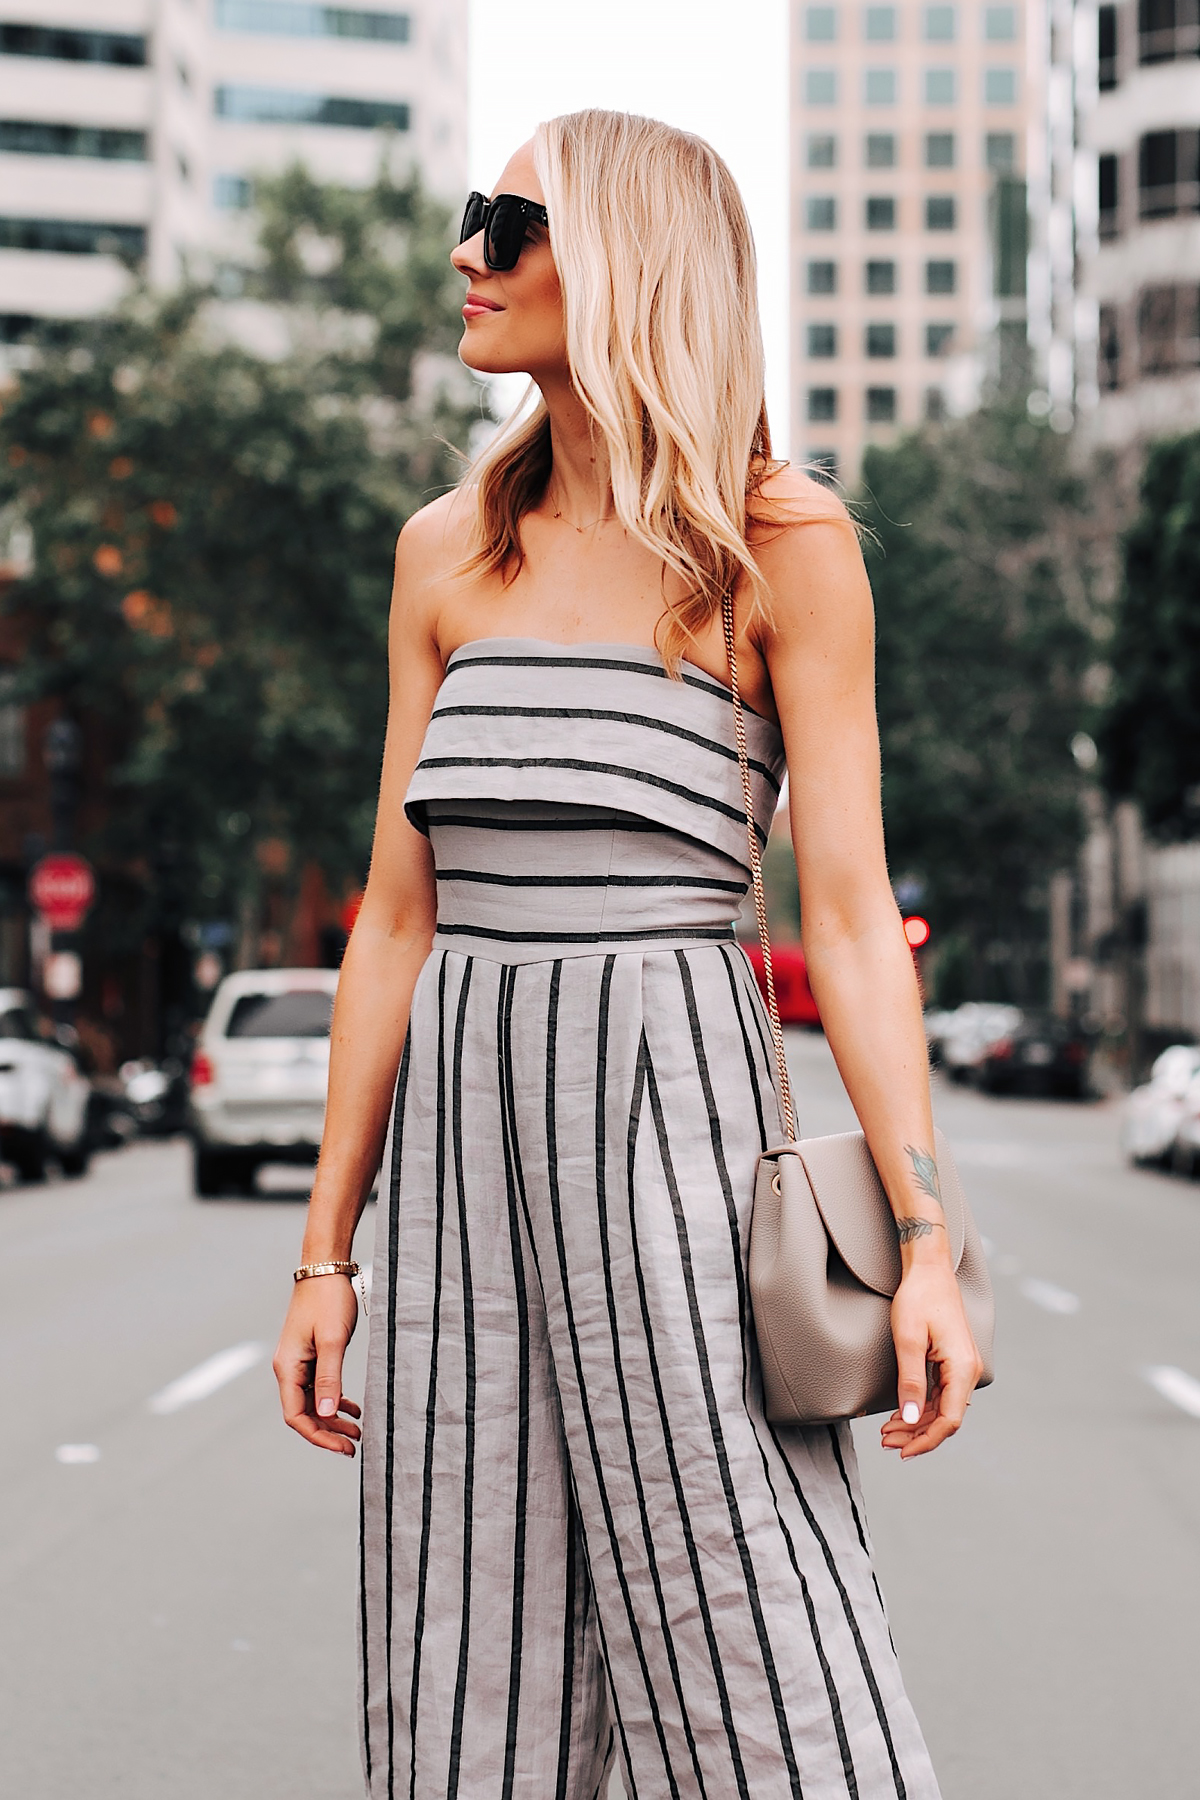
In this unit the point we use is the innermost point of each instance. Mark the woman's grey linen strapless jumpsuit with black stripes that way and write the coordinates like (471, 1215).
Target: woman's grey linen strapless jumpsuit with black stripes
(582, 1540)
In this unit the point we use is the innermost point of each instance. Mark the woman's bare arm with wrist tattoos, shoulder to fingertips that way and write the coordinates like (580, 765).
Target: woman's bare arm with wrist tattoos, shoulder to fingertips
(821, 661)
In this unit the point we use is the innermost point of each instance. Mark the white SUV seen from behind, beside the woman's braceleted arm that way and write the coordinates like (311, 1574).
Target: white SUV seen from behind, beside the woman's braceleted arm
(260, 1075)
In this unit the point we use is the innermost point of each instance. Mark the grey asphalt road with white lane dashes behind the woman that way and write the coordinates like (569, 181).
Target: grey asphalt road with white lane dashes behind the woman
(177, 1597)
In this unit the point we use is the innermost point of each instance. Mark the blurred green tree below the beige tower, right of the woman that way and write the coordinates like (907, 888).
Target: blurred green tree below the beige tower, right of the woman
(987, 566)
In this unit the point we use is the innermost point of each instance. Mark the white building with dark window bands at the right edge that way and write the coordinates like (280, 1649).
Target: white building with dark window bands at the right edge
(1140, 213)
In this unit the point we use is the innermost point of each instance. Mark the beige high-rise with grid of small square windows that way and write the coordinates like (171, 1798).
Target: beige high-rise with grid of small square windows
(922, 247)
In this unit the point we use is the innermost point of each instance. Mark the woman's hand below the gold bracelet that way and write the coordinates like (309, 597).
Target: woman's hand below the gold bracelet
(309, 1363)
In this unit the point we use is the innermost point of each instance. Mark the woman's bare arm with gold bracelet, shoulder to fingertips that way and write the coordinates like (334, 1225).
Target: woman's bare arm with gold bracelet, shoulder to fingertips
(384, 958)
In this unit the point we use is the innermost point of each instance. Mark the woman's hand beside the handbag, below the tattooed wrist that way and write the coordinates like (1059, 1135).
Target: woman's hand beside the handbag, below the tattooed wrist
(938, 1360)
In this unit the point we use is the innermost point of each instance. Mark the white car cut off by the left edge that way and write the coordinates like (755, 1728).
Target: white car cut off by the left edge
(44, 1095)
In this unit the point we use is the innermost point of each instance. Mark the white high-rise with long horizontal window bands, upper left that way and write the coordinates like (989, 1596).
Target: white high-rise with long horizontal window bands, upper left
(130, 130)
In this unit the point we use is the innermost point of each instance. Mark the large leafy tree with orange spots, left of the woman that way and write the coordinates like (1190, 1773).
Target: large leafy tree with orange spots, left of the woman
(213, 537)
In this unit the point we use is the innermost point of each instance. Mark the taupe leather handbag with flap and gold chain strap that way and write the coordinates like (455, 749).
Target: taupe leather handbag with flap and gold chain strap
(825, 1252)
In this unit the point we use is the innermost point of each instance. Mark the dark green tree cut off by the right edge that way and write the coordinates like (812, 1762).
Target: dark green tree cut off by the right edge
(1151, 732)
